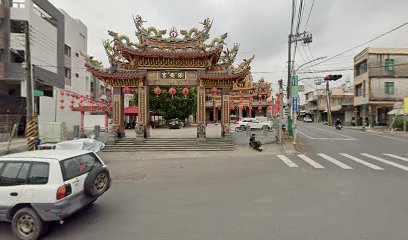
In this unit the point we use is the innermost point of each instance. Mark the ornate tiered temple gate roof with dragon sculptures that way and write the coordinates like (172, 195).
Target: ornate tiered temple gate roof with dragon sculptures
(158, 49)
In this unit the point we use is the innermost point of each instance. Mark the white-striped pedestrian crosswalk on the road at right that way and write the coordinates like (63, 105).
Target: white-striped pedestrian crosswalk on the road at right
(346, 161)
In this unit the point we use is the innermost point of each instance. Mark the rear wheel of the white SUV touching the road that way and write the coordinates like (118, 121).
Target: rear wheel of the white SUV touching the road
(27, 225)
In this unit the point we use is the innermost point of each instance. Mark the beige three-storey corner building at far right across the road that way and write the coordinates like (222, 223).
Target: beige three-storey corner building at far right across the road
(380, 80)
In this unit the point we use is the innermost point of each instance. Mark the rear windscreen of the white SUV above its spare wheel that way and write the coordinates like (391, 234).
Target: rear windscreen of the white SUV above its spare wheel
(78, 166)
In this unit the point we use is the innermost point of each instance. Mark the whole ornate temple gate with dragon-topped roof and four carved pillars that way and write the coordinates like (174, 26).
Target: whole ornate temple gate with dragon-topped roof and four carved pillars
(173, 60)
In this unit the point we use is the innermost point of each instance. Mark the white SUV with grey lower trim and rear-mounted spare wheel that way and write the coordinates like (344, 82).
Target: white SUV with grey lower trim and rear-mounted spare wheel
(49, 185)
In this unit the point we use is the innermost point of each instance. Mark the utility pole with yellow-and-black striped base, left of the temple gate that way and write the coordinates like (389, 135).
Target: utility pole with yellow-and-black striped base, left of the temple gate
(31, 127)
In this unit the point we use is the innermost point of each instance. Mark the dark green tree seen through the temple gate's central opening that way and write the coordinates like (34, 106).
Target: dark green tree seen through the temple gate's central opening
(177, 106)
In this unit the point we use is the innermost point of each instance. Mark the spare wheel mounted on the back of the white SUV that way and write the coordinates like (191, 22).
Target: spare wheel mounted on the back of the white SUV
(97, 182)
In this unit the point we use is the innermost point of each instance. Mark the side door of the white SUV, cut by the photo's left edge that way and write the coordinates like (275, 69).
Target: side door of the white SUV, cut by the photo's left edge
(13, 176)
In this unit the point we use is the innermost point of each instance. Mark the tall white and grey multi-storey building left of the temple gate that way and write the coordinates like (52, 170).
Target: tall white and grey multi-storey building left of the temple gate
(56, 40)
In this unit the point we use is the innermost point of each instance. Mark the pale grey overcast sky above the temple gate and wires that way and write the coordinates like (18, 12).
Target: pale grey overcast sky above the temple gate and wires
(260, 26)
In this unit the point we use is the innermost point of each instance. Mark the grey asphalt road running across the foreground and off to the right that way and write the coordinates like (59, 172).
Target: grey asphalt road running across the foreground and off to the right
(261, 197)
